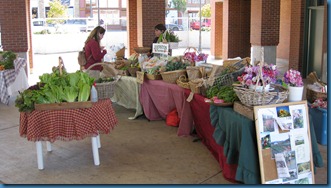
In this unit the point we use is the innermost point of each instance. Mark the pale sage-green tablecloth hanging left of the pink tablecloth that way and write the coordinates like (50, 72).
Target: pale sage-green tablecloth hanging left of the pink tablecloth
(126, 94)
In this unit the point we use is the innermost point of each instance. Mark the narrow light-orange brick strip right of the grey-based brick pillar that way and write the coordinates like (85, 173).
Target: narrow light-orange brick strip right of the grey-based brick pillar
(284, 30)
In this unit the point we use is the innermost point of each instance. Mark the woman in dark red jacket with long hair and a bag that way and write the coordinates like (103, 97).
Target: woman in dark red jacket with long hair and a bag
(94, 52)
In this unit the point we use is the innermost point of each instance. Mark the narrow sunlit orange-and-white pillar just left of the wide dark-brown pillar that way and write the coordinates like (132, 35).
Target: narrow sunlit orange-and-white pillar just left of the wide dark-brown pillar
(216, 29)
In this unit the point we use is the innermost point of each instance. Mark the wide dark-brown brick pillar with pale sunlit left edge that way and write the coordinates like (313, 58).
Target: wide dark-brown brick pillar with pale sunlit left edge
(236, 28)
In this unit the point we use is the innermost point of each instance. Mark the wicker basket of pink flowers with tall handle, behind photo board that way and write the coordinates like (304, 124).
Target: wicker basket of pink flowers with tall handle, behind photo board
(255, 81)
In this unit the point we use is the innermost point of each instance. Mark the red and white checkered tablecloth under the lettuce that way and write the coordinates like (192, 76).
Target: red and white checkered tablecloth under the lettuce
(69, 124)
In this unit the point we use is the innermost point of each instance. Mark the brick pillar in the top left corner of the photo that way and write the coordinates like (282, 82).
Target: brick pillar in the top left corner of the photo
(15, 17)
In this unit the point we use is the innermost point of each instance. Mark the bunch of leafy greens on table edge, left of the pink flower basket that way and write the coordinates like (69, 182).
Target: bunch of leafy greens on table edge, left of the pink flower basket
(224, 92)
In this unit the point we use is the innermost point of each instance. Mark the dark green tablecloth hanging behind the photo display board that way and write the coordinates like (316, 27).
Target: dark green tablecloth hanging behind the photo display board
(237, 135)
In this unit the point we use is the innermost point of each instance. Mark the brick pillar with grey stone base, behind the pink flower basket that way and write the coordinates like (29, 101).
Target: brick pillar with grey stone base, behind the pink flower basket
(265, 21)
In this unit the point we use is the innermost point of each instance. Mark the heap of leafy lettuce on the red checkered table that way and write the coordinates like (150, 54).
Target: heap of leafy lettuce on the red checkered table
(56, 88)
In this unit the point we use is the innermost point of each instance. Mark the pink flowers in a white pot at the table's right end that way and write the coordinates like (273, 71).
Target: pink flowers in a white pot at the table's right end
(293, 80)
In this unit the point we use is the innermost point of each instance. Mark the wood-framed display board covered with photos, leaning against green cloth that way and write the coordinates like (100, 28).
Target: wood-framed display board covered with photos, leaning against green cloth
(284, 143)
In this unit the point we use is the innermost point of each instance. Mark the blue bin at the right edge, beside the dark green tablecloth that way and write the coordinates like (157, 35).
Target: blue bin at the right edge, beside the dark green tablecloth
(319, 118)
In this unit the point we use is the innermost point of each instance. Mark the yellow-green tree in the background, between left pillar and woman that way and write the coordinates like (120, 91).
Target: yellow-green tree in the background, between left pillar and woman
(57, 10)
